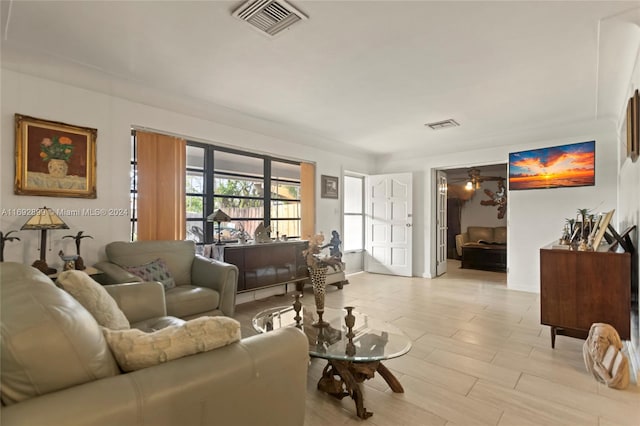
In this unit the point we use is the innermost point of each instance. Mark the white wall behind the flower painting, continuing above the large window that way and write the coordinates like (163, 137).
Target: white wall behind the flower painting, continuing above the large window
(113, 117)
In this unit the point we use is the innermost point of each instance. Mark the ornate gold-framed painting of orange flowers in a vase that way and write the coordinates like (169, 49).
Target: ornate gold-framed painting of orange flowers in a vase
(54, 159)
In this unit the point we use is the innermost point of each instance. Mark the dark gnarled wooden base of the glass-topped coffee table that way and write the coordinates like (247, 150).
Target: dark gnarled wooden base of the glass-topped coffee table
(343, 378)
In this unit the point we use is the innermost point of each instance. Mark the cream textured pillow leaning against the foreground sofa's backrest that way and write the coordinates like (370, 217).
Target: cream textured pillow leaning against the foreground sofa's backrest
(94, 298)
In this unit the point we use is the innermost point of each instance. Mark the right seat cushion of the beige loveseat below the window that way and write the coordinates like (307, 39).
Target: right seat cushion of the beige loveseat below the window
(187, 300)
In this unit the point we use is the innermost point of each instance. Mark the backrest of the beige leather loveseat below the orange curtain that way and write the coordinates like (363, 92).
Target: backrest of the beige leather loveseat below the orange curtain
(178, 255)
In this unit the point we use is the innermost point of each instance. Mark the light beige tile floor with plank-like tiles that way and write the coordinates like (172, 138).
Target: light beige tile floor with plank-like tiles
(479, 356)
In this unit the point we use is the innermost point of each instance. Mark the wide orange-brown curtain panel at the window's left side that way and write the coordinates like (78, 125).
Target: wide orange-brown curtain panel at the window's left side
(161, 187)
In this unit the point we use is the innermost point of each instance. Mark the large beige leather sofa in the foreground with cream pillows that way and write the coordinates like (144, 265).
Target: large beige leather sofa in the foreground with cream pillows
(57, 368)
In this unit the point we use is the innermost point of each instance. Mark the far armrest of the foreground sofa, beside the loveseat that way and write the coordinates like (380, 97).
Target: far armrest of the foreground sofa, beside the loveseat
(139, 301)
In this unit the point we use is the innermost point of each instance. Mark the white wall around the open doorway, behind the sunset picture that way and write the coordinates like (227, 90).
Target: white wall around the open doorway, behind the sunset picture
(535, 217)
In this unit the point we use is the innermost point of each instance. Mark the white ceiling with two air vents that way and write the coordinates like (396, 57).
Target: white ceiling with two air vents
(365, 74)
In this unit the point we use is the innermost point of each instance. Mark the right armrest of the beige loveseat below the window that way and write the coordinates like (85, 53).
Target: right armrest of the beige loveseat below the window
(219, 276)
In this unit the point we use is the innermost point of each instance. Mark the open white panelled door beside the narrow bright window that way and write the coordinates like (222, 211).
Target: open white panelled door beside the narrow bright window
(389, 221)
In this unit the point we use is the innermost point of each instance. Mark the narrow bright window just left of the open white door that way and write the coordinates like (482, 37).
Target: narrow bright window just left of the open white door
(353, 213)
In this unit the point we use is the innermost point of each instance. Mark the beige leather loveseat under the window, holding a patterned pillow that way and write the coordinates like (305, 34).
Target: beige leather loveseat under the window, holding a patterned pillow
(203, 286)
